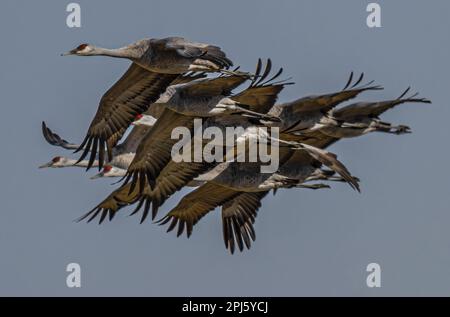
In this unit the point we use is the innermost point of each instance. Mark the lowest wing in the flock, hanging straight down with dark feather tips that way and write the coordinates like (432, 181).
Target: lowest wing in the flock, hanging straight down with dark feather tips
(238, 217)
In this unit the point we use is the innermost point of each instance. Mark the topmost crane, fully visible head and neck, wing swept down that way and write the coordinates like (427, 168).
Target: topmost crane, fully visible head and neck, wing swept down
(156, 64)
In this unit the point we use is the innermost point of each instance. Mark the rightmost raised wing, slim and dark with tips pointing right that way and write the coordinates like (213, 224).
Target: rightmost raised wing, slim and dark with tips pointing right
(374, 109)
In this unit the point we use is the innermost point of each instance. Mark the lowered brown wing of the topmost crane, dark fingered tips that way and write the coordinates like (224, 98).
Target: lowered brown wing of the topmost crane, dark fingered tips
(128, 97)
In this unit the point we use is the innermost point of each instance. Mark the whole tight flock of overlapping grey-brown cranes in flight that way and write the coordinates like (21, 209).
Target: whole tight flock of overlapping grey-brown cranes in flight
(168, 85)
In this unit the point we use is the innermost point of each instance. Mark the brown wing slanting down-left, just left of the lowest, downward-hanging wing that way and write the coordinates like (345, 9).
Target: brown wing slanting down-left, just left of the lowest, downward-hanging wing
(195, 205)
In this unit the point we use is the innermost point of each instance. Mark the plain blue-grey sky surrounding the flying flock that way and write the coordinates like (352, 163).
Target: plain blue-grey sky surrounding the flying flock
(308, 243)
